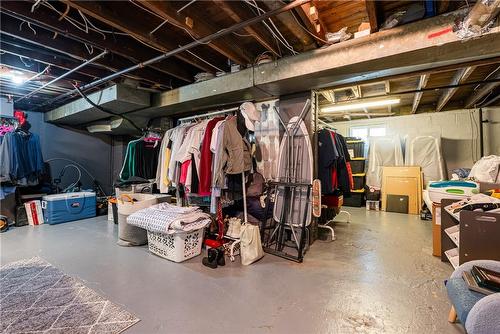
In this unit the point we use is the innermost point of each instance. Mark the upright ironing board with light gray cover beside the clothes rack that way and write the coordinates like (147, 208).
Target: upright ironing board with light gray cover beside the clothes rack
(301, 172)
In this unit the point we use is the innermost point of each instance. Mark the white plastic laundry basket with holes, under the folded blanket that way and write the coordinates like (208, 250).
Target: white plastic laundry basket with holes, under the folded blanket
(176, 247)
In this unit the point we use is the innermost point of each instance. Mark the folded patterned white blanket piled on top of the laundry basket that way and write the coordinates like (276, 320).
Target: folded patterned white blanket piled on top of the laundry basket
(169, 218)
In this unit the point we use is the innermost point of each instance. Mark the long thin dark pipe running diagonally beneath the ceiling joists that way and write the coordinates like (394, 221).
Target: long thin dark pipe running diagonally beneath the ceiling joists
(183, 48)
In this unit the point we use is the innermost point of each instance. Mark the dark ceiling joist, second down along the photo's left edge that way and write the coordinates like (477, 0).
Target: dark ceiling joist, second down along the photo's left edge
(71, 48)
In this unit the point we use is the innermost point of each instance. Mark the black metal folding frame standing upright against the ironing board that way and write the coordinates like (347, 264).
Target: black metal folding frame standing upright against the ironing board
(274, 236)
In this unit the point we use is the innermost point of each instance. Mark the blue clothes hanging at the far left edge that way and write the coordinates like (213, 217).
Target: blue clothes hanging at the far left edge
(21, 160)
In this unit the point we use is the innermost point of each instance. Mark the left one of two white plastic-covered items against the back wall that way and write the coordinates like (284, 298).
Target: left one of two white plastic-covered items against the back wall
(383, 151)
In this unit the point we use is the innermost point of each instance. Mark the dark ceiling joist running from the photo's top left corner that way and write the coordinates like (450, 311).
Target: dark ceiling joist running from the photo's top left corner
(124, 47)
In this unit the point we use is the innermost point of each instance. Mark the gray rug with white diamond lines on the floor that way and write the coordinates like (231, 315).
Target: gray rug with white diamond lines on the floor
(36, 297)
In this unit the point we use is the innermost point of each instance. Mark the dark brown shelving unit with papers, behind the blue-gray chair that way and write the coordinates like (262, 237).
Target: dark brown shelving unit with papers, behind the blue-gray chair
(475, 236)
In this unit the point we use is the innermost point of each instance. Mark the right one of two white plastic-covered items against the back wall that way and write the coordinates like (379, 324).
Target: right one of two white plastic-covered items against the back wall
(425, 151)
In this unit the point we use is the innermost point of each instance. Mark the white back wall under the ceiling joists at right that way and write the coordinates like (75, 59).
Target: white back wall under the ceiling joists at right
(459, 132)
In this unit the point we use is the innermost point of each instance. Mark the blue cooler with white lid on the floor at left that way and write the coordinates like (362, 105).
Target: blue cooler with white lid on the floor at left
(62, 208)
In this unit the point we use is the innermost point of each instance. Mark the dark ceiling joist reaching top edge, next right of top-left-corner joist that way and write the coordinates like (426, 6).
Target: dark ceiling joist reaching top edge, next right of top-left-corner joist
(119, 20)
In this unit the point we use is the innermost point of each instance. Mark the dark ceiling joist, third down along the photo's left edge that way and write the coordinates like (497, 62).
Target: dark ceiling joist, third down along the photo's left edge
(55, 61)
